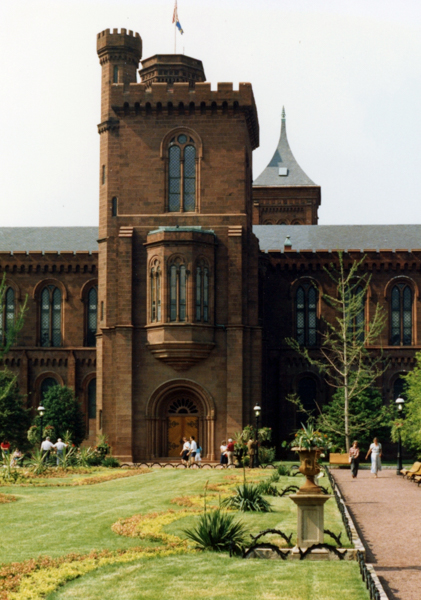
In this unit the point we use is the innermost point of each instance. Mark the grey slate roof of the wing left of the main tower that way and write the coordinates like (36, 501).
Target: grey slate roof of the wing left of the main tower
(48, 239)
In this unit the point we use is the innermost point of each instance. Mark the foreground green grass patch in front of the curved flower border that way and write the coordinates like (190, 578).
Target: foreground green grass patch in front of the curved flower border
(215, 577)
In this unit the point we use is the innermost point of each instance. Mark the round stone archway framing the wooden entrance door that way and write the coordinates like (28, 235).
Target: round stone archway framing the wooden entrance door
(176, 408)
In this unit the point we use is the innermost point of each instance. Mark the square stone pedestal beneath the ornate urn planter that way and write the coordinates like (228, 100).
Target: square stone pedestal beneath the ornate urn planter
(310, 524)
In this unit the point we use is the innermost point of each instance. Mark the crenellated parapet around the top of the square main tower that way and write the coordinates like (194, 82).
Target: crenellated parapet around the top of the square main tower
(181, 99)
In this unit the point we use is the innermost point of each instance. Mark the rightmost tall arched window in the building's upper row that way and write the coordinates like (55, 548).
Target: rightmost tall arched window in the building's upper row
(401, 315)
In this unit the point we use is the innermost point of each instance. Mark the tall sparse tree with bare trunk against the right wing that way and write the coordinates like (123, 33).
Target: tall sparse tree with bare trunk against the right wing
(343, 357)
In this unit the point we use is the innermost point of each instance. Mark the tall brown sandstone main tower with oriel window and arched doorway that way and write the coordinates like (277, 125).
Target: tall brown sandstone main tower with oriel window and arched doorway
(179, 344)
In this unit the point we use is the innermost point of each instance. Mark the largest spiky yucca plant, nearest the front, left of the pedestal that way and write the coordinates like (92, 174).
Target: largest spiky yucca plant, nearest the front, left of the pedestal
(218, 531)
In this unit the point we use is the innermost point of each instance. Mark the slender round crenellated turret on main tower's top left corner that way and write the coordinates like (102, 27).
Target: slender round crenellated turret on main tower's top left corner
(119, 55)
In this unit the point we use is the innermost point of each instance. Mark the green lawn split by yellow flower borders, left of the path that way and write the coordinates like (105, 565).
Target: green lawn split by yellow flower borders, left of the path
(57, 521)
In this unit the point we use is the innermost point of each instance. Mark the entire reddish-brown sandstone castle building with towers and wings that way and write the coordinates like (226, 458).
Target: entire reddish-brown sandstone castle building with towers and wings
(196, 275)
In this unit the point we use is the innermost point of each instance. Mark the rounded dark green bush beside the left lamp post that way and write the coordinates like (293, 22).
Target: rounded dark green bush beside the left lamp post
(64, 413)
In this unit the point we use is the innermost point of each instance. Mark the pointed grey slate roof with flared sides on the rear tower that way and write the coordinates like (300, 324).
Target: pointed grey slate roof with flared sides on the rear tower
(283, 169)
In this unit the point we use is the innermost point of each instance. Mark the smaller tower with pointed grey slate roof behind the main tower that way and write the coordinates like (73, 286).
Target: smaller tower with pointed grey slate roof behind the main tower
(283, 194)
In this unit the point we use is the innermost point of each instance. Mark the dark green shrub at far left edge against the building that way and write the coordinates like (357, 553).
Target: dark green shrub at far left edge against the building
(15, 419)
